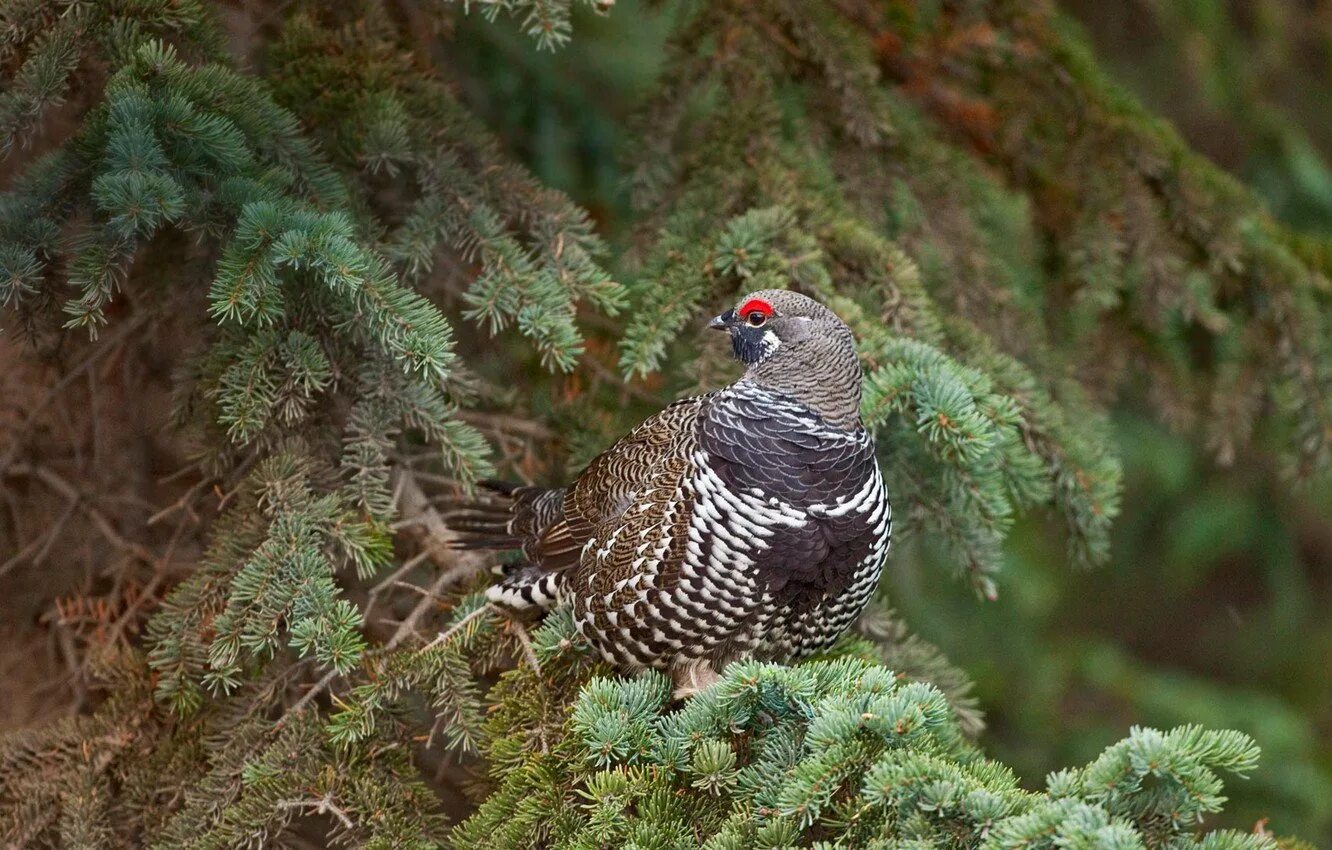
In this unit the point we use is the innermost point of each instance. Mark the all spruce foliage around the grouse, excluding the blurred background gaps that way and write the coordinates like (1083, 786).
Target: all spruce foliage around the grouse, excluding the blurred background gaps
(330, 220)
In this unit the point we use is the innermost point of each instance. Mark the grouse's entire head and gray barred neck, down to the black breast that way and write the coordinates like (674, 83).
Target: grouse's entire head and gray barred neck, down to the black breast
(796, 346)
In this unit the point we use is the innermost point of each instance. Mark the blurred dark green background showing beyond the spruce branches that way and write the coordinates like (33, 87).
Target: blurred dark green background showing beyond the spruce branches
(1217, 607)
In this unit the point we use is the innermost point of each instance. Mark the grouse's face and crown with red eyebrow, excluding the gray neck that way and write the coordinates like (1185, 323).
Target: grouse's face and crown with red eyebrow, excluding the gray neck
(767, 322)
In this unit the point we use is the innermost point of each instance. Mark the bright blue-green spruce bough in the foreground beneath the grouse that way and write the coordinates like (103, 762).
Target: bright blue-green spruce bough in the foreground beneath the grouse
(832, 753)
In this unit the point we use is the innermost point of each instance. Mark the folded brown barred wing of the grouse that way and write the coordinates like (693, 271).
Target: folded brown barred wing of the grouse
(643, 468)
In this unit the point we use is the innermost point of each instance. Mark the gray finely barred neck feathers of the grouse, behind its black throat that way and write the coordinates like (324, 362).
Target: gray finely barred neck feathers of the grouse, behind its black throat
(820, 370)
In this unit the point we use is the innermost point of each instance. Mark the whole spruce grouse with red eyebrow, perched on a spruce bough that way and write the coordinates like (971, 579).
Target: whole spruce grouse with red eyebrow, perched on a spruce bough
(745, 523)
